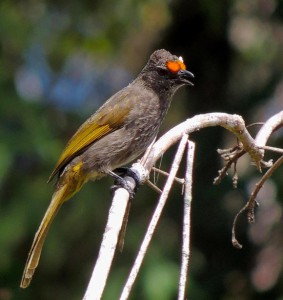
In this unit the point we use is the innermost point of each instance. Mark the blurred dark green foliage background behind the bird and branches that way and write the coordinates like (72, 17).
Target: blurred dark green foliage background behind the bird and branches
(234, 48)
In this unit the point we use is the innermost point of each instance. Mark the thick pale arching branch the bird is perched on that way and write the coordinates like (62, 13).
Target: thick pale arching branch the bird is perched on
(233, 123)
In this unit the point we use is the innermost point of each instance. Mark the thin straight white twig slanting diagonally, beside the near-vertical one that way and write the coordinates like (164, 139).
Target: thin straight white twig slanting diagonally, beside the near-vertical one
(151, 228)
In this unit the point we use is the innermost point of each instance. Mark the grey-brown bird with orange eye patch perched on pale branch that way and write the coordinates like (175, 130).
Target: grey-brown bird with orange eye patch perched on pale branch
(117, 133)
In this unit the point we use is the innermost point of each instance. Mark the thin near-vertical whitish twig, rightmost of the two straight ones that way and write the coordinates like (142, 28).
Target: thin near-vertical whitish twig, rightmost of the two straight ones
(186, 220)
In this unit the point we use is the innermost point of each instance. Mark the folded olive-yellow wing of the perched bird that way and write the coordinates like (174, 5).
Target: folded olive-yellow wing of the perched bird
(107, 119)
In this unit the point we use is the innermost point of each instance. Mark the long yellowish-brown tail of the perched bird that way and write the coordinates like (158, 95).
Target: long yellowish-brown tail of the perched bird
(62, 194)
